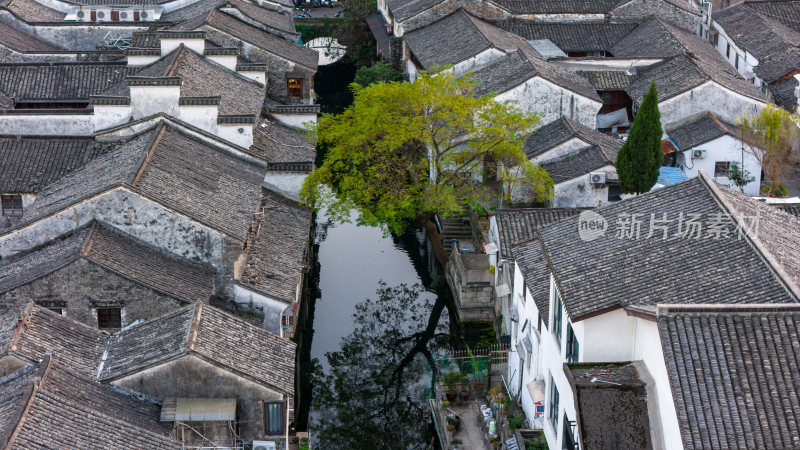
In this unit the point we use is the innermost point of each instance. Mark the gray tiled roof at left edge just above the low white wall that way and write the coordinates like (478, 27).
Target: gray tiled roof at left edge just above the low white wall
(60, 81)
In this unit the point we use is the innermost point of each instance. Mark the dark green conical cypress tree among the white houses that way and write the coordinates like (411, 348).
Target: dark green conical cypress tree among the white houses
(640, 157)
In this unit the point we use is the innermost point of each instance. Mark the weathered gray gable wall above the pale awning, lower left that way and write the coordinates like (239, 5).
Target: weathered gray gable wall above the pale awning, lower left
(190, 376)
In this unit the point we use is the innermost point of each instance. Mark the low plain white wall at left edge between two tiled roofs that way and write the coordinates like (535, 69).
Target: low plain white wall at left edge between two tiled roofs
(47, 124)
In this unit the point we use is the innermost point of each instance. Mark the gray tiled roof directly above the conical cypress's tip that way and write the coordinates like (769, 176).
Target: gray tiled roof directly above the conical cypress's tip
(693, 62)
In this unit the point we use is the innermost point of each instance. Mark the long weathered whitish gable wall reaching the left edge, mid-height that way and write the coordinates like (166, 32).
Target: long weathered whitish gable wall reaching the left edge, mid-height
(135, 215)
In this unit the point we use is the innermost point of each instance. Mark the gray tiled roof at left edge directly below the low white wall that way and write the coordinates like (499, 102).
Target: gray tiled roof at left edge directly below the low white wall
(30, 162)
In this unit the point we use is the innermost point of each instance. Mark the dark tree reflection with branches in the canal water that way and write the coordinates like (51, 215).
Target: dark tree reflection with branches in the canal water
(373, 394)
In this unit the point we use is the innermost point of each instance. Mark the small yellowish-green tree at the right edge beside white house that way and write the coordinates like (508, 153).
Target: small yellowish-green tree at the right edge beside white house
(771, 137)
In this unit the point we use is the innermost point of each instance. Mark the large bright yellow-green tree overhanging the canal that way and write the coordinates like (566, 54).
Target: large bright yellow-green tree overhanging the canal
(404, 150)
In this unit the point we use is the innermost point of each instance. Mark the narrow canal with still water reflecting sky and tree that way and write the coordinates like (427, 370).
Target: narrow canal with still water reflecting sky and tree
(376, 308)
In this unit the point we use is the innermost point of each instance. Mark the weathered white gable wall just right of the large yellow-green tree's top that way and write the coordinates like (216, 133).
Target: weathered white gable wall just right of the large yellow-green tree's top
(552, 101)
